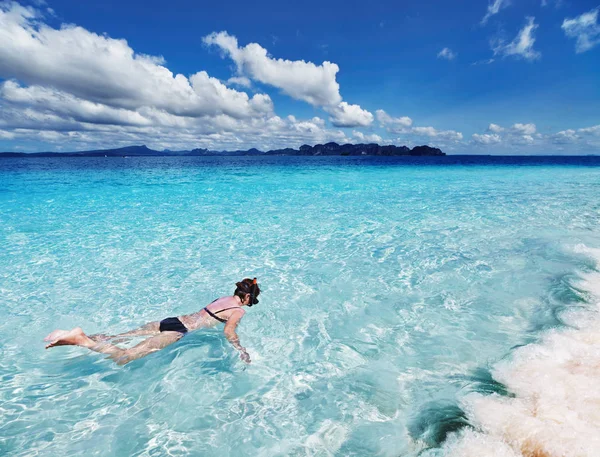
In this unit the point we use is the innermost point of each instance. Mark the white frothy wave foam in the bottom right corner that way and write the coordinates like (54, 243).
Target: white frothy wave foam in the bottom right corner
(555, 410)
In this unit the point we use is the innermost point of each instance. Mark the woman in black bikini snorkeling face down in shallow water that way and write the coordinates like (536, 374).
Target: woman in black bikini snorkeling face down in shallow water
(228, 310)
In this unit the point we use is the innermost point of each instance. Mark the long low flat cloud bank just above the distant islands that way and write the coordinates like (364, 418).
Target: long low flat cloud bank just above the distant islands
(217, 133)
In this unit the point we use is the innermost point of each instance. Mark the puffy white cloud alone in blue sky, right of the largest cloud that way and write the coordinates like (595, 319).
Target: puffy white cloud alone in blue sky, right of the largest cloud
(315, 84)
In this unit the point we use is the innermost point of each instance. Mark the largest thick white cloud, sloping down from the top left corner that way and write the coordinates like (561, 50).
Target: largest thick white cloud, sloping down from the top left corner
(104, 70)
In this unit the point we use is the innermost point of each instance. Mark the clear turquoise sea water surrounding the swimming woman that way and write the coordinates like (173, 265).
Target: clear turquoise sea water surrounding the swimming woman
(392, 291)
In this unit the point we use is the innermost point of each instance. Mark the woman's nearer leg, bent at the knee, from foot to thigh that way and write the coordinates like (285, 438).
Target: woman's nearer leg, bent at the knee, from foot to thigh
(76, 337)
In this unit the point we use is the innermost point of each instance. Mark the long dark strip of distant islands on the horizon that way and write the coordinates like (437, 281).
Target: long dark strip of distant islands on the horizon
(327, 149)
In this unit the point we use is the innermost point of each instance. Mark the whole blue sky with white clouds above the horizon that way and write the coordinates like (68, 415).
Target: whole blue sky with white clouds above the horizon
(470, 76)
